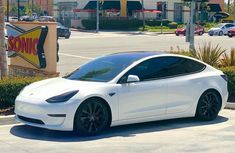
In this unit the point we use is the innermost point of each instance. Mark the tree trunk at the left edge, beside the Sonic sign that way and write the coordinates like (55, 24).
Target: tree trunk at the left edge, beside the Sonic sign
(3, 62)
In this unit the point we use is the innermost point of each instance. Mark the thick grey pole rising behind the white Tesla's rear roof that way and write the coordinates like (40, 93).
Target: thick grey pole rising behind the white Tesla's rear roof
(191, 26)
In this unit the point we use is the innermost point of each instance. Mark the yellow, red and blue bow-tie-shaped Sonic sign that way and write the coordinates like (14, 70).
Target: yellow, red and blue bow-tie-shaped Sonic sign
(28, 44)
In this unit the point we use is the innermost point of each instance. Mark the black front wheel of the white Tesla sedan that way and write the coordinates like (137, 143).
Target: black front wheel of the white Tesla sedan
(92, 117)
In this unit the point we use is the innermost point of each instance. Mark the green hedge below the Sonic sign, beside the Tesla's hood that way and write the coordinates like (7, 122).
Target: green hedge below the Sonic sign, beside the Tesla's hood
(11, 87)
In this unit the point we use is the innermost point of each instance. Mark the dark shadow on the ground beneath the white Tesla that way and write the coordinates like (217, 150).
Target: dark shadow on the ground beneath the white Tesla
(29, 132)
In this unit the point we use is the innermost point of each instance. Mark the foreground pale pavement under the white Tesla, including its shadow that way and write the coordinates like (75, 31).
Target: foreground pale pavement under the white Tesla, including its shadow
(179, 135)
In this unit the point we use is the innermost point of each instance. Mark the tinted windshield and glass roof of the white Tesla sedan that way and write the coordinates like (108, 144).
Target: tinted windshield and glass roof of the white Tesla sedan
(106, 68)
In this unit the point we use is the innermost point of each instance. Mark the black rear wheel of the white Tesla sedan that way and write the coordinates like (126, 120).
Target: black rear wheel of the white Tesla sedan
(208, 106)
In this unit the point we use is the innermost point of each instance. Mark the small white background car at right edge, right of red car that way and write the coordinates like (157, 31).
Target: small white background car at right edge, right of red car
(221, 29)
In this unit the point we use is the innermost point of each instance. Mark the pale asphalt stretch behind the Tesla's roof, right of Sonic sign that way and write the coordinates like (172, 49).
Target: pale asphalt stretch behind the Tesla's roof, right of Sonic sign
(83, 46)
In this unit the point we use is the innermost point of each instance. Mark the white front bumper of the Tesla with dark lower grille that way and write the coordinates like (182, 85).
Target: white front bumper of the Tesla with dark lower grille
(56, 116)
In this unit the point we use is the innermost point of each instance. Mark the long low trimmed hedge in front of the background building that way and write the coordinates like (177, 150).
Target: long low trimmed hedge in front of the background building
(121, 24)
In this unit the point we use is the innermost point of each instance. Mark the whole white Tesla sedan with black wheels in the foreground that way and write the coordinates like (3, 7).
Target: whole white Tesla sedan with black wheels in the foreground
(124, 88)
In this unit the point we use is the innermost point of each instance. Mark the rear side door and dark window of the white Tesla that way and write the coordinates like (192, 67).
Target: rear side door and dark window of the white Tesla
(184, 84)
